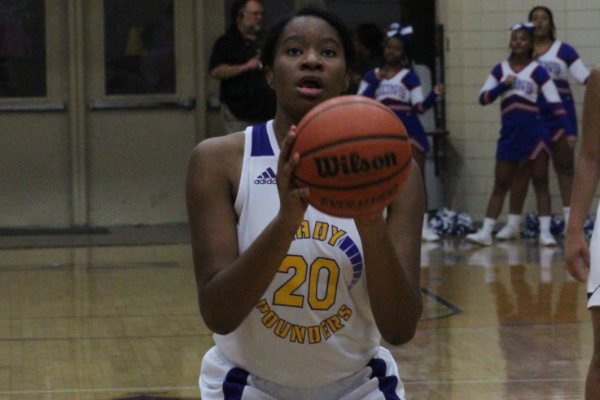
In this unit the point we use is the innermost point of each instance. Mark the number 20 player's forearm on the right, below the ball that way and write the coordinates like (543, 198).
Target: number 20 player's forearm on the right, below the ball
(392, 251)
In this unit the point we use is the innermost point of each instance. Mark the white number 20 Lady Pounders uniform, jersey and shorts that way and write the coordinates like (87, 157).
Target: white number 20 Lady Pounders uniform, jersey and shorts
(312, 335)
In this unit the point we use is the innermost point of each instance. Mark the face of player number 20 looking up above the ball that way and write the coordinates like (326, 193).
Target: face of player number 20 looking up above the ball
(309, 66)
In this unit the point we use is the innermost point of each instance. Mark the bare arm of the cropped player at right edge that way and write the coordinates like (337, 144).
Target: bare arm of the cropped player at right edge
(587, 176)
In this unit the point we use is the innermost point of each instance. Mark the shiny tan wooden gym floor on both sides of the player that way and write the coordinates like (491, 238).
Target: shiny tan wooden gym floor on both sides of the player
(113, 315)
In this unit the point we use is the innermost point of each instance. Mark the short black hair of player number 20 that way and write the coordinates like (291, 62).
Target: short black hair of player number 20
(269, 41)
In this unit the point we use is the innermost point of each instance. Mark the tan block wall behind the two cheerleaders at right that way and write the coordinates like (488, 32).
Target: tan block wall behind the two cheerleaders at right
(477, 39)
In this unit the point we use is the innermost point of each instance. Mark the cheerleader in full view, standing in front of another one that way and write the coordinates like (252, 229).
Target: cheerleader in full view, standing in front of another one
(522, 137)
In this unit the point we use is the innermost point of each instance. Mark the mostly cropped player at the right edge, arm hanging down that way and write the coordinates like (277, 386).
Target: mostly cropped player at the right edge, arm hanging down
(587, 176)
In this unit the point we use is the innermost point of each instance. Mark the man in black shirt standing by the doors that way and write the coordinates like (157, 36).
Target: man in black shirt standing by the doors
(246, 98)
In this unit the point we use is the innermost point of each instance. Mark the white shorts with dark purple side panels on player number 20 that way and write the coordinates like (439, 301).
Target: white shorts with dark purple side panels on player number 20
(221, 380)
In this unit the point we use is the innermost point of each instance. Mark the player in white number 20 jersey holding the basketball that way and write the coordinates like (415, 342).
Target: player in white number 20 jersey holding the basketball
(298, 300)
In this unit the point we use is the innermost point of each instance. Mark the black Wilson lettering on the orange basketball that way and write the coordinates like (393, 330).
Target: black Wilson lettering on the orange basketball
(353, 163)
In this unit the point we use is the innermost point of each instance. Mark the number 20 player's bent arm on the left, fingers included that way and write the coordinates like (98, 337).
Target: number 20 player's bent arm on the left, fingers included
(230, 284)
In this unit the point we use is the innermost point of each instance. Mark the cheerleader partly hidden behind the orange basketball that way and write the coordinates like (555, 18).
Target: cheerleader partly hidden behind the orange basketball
(398, 87)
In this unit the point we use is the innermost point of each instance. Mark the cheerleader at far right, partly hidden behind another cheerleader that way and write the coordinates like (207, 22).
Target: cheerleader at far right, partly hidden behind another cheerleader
(560, 60)
